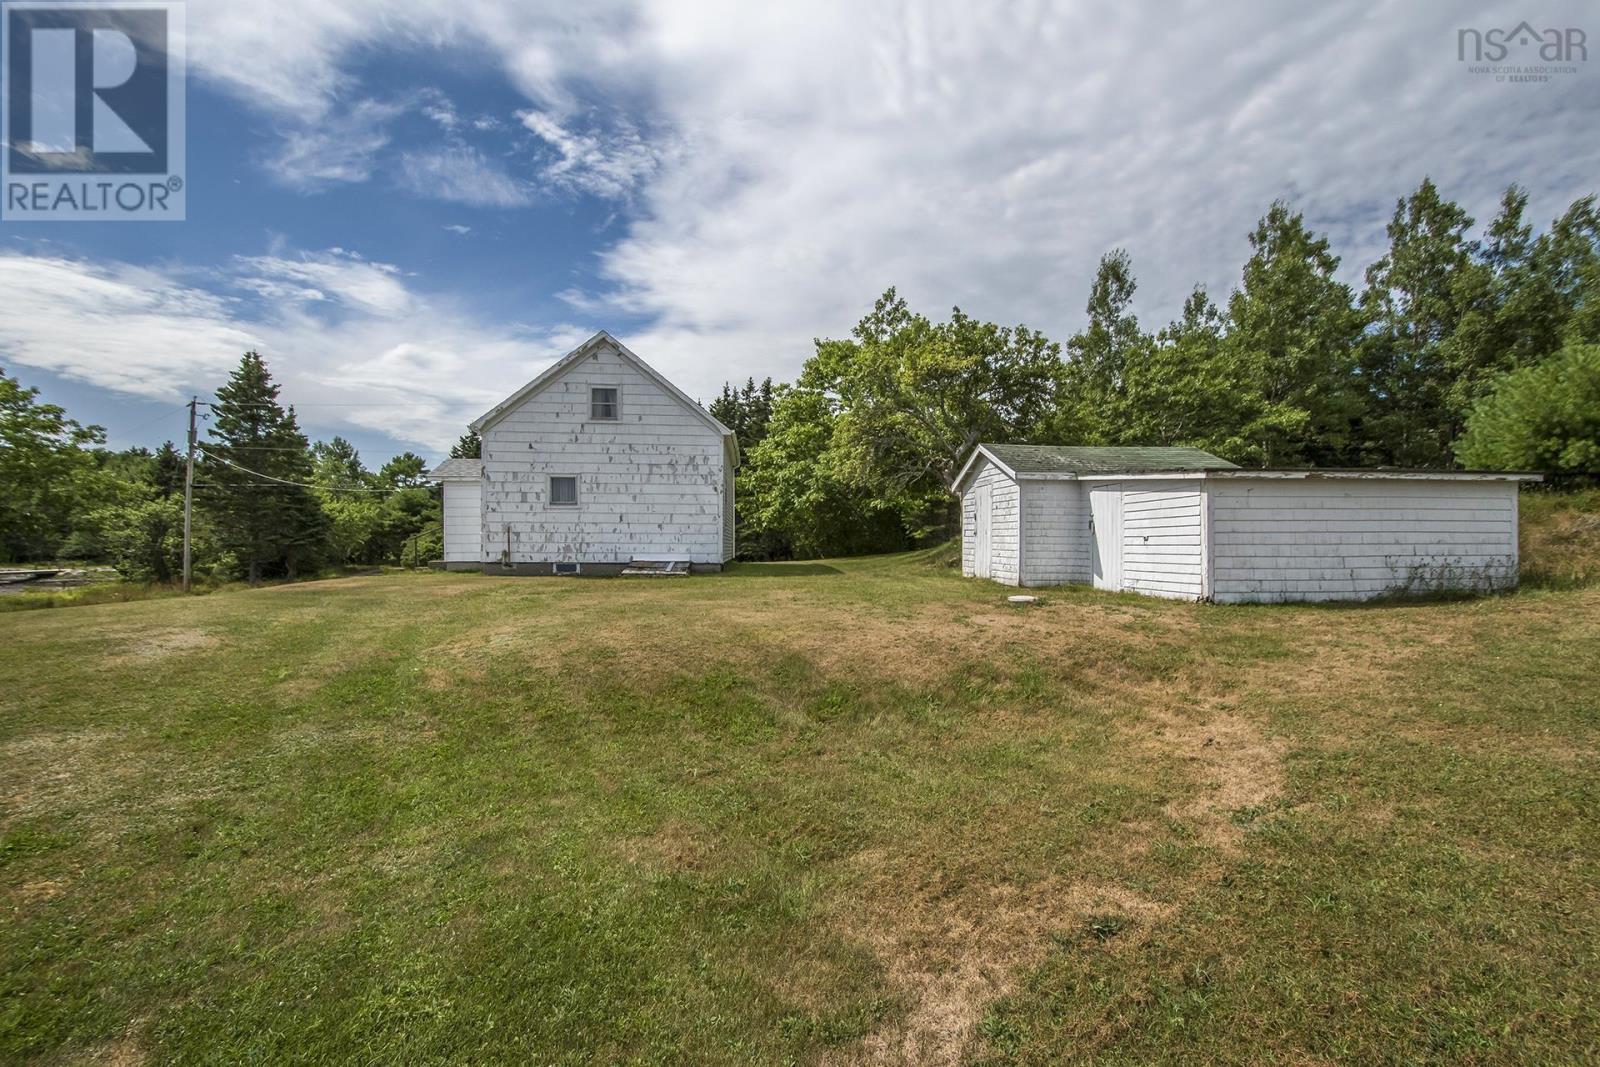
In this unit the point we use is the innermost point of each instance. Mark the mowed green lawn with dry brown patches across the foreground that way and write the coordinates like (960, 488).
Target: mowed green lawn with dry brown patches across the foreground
(854, 812)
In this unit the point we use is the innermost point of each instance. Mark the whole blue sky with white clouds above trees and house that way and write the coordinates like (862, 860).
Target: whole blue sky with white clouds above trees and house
(412, 207)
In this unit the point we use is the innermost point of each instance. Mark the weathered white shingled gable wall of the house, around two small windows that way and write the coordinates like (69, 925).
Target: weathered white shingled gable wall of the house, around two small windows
(654, 484)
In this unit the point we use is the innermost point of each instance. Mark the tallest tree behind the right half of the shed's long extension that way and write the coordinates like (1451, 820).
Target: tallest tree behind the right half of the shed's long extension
(1417, 298)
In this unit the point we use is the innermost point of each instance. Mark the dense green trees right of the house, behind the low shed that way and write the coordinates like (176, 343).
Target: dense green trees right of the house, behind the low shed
(1462, 350)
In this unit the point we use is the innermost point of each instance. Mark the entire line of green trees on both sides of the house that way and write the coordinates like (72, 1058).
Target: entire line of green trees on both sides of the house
(1463, 348)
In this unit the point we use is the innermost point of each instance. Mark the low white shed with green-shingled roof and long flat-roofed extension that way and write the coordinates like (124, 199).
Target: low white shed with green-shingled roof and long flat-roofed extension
(1180, 522)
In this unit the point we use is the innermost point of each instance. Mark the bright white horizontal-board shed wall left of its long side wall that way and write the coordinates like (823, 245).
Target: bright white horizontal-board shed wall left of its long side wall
(1162, 546)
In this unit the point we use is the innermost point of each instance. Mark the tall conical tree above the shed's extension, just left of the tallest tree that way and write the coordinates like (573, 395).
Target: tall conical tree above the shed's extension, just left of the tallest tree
(1292, 332)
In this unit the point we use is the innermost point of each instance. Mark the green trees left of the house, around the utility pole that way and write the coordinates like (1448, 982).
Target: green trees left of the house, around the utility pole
(268, 503)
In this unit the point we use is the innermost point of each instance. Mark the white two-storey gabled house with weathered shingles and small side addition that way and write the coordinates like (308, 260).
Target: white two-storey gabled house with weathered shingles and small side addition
(594, 465)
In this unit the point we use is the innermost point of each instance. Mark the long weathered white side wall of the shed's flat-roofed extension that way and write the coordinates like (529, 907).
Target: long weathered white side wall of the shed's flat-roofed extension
(1361, 538)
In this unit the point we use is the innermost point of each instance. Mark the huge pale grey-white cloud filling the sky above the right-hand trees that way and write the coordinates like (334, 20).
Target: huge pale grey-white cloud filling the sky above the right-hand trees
(802, 158)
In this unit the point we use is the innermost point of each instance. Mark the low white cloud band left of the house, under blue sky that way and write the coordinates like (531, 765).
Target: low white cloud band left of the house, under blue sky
(345, 338)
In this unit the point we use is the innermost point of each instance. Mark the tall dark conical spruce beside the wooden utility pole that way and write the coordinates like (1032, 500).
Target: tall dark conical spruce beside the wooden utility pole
(255, 471)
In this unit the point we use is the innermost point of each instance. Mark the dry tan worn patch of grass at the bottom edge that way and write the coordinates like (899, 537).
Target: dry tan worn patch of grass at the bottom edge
(951, 954)
